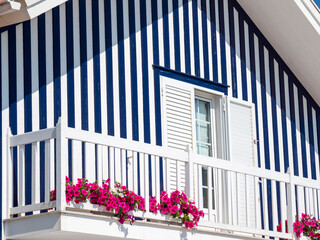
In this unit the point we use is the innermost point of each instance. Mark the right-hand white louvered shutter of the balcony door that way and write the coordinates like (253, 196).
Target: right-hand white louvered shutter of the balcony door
(241, 143)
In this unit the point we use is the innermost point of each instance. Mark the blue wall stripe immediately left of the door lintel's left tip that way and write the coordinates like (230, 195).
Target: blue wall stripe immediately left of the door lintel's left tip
(145, 77)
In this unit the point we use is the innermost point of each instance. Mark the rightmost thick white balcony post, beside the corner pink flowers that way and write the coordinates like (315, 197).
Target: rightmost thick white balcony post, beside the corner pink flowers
(291, 201)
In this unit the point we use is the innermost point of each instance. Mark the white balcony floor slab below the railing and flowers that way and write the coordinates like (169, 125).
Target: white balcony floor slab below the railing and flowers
(80, 226)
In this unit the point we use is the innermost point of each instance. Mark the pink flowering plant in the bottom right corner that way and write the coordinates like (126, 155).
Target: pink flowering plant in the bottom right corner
(308, 226)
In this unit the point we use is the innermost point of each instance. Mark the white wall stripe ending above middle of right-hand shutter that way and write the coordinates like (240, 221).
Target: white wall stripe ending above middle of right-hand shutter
(238, 57)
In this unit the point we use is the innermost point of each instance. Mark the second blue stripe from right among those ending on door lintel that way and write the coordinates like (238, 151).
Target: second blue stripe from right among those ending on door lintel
(214, 40)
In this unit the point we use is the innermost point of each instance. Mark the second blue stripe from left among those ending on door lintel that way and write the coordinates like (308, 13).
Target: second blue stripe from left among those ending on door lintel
(165, 33)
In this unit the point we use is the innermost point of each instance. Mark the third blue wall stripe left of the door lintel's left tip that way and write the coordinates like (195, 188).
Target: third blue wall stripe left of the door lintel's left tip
(122, 87)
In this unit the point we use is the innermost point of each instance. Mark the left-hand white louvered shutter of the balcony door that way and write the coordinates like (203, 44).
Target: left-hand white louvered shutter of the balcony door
(177, 99)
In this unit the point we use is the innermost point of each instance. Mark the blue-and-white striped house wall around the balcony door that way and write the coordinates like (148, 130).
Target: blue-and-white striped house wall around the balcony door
(91, 62)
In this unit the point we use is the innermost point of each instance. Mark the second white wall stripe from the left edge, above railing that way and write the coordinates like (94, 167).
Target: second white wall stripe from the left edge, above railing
(20, 79)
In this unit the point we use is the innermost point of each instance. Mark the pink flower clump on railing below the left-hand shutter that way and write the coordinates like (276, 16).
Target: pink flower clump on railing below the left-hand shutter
(178, 206)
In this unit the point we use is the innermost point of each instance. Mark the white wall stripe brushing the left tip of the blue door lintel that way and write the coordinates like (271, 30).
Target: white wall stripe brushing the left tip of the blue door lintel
(151, 74)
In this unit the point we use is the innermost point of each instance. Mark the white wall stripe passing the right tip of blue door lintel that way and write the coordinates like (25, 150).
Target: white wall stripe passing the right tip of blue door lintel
(227, 42)
